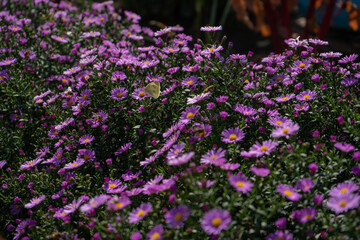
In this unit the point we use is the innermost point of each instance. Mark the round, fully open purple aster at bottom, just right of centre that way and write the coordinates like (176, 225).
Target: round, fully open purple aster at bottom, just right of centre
(216, 220)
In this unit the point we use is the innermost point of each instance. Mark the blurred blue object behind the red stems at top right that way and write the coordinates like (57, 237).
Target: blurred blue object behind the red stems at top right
(341, 20)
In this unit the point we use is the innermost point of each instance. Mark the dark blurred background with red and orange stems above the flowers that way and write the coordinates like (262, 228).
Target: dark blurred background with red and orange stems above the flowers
(258, 25)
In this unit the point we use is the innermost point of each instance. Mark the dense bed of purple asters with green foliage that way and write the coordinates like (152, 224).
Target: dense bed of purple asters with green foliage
(230, 149)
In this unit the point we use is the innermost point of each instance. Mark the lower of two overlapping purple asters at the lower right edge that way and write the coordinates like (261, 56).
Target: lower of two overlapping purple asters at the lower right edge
(343, 203)
